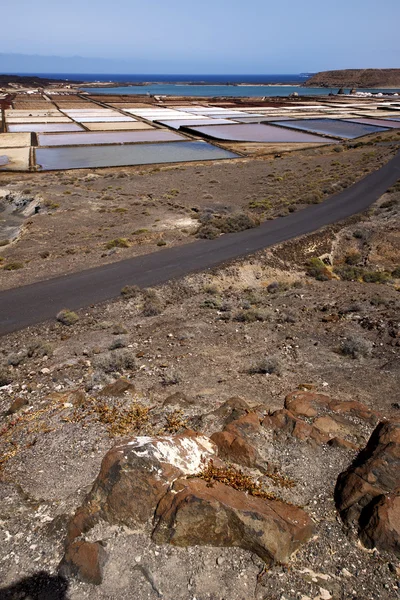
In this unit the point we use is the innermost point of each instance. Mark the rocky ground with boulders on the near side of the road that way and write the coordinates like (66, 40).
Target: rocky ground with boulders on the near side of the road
(283, 364)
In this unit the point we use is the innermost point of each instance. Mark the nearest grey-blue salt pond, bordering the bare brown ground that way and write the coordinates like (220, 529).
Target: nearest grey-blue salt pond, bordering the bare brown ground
(118, 156)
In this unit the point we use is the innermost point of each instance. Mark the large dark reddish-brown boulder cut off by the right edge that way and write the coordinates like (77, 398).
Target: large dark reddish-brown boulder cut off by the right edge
(367, 493)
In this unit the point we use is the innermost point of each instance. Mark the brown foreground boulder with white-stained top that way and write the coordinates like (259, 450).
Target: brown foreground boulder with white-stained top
(133, 478)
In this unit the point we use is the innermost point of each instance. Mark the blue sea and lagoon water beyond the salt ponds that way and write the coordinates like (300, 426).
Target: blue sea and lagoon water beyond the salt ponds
(202, 85)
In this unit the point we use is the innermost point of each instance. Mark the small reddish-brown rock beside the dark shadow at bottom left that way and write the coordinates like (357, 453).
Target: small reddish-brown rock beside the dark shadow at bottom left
(84, 560)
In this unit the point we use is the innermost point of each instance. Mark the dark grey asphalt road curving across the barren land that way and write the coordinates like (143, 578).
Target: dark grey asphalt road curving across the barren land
(31, 304)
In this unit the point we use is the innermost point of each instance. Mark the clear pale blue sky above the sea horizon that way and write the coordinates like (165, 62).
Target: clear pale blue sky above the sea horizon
(211, 36)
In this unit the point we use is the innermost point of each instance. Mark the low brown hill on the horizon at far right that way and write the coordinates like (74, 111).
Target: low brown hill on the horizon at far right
(356, 78)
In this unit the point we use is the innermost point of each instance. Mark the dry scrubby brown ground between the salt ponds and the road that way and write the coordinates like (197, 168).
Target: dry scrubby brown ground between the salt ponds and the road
(89, 218)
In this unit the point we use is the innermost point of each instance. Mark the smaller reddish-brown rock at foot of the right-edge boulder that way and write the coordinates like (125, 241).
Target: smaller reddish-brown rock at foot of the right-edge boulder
(382, 529)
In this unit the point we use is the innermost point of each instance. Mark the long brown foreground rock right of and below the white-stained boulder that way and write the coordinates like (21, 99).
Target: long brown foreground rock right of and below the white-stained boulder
(193, 513)
